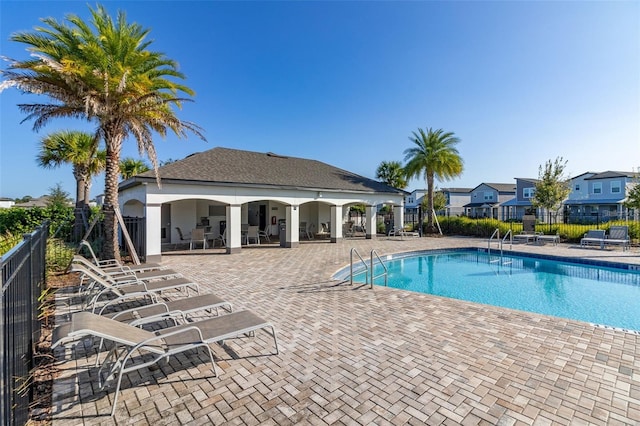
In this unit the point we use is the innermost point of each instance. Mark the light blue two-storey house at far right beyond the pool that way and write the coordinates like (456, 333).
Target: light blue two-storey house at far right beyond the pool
(598, 196)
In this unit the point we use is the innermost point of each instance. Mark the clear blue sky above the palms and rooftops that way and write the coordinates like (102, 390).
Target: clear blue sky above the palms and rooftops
(347, 83)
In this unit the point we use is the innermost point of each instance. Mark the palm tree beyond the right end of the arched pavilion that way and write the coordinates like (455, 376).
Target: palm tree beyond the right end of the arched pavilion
(434, 156)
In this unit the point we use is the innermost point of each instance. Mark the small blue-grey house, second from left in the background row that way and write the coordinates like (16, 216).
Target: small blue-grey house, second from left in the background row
(486, 199)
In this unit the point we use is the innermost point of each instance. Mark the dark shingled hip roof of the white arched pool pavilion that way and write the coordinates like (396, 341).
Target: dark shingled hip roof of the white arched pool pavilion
(247, 168)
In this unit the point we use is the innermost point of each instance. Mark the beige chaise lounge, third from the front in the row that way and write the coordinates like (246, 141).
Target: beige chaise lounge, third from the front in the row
(103, 286)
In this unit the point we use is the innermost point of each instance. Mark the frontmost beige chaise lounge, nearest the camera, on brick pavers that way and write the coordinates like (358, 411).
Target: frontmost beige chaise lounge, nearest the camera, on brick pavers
(135, 348)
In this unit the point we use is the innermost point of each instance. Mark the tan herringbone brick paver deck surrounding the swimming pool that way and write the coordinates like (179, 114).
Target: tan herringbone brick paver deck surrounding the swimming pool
(352, 355)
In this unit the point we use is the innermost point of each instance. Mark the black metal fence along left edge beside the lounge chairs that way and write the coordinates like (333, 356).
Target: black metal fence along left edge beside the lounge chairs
(23, 279)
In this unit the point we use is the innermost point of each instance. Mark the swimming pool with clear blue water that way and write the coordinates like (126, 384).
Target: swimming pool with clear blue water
(601, 295)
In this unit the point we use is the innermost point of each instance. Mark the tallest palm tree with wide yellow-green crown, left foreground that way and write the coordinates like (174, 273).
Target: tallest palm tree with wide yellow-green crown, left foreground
(102, 71)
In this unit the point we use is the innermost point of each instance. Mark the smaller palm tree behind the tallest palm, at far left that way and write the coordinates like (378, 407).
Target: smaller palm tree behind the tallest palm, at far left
(80, 149)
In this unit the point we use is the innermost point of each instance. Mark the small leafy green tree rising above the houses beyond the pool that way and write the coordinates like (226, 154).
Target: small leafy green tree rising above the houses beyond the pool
(552, 187)
